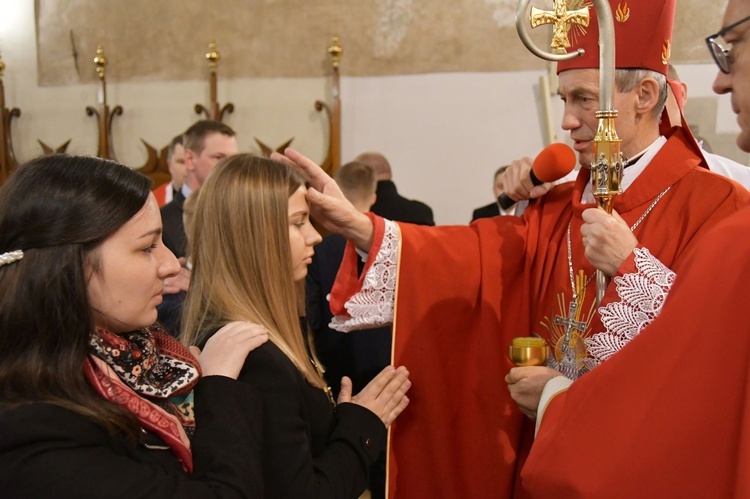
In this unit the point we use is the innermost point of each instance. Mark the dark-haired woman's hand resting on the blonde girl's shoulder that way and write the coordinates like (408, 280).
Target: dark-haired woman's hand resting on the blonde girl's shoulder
(225, 352)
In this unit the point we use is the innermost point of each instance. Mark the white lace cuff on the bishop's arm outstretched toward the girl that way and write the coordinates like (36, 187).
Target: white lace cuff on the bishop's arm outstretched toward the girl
(372, 306)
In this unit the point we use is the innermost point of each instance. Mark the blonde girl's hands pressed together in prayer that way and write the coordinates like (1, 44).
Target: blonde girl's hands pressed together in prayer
(385, 395)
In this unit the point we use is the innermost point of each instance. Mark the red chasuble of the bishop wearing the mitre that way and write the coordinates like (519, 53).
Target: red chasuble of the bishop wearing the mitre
(464, 292)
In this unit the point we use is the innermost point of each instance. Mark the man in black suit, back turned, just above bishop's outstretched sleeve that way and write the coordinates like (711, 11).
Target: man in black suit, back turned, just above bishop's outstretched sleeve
(390, 204)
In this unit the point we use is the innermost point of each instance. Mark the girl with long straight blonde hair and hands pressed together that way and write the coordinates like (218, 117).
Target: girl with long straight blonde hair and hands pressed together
(251, 243)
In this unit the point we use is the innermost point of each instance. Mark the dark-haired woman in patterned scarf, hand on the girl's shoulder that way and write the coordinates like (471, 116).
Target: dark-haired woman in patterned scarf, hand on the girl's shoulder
(95, 401)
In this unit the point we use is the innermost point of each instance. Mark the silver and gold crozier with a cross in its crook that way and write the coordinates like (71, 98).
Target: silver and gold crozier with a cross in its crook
(606, 172)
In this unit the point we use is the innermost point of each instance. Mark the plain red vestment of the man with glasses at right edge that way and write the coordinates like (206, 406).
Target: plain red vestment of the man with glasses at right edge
(669, 415)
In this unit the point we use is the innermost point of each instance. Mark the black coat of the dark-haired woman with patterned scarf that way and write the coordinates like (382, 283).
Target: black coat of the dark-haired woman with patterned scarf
(49, 451)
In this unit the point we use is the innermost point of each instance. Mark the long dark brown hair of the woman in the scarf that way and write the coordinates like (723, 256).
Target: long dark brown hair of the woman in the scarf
(58, 209)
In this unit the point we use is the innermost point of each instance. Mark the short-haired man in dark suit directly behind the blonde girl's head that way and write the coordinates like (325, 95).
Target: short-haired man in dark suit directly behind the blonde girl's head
(206, 143)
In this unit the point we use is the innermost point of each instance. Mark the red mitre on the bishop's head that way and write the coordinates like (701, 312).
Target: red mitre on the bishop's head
(643, 35)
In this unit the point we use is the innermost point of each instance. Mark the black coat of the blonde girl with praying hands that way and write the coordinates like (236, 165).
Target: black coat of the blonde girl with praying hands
(309, 451)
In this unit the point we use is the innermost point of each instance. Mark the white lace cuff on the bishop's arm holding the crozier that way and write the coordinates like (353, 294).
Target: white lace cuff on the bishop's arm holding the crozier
(642, 295)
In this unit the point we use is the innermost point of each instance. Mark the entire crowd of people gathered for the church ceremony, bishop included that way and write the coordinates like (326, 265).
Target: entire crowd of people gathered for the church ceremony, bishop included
(190, 342)
